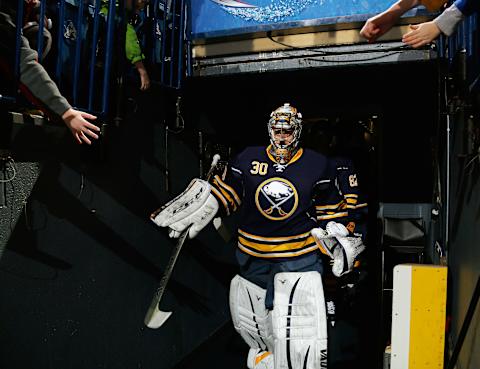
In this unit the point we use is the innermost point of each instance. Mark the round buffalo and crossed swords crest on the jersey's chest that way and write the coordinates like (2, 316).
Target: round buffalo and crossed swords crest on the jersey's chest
(276, 198)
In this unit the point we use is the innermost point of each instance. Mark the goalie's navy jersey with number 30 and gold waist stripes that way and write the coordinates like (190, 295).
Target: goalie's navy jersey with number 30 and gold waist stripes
(277, 201)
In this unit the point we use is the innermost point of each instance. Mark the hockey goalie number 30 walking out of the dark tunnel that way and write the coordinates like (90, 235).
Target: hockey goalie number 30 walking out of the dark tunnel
(295, 206)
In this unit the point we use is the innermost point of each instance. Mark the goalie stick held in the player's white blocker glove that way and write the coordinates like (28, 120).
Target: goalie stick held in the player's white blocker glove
(154, 318)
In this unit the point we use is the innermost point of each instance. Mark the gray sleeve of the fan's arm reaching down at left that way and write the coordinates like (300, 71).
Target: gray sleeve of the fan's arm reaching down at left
(37, 80)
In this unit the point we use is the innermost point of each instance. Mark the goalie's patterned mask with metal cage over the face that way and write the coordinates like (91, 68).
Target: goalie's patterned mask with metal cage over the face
(284, 128)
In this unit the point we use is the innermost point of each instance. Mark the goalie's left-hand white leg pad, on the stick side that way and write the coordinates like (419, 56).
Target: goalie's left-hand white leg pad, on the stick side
(249, 316)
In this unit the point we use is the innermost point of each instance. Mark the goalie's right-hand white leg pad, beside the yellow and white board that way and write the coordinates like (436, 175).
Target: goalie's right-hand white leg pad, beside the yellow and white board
(299, 321)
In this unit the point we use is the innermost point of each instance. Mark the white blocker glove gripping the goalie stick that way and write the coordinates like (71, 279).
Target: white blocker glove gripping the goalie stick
(195, 206)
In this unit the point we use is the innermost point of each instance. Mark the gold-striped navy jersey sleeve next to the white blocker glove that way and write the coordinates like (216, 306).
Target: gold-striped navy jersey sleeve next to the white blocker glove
(227, 187)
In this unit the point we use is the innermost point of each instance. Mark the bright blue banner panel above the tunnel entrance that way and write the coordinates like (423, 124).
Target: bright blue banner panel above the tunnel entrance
(218, 18)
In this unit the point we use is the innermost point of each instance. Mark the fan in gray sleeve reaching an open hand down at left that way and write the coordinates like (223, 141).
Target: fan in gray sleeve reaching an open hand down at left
(36, 84)
